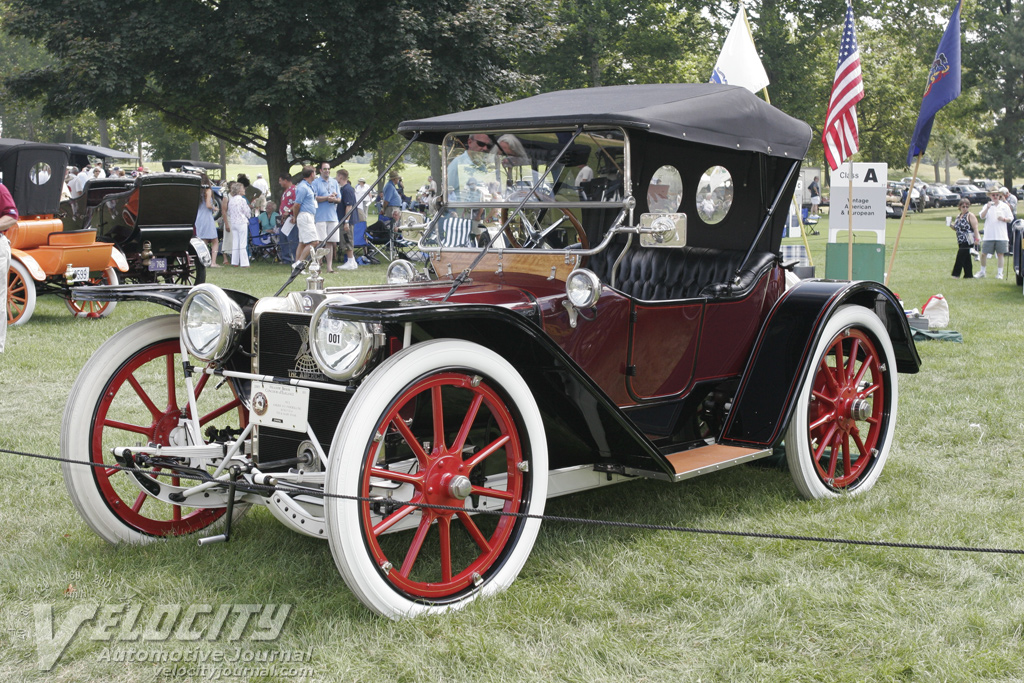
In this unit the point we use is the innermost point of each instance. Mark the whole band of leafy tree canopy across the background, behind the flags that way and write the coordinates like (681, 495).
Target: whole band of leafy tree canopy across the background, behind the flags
(328, 82)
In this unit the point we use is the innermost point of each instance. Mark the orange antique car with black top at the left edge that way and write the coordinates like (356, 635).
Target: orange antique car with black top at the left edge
(46, 259)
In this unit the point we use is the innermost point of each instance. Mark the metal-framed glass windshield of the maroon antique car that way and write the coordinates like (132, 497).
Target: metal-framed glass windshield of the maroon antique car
(490, 174)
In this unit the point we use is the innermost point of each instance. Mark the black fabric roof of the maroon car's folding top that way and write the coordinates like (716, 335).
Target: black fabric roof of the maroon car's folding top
(719, 115)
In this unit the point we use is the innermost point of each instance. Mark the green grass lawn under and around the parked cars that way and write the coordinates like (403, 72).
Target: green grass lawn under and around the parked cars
(598, 604)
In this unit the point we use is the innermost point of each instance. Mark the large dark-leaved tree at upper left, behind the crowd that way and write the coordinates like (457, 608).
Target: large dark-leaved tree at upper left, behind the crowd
(271, 93)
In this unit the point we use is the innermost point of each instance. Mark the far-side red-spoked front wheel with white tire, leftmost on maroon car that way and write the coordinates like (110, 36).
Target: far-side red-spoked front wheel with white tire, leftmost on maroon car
(133, 393)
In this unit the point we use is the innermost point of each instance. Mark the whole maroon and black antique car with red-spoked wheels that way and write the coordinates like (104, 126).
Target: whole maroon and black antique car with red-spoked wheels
(616, 311)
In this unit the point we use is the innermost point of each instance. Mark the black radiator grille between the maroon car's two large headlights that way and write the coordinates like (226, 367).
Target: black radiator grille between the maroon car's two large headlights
(280, 353)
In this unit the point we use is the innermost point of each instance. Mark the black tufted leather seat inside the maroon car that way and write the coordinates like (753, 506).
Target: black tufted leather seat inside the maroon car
(687, 273)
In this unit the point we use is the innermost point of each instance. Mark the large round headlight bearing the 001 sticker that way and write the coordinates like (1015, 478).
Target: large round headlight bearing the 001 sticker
(342, 348)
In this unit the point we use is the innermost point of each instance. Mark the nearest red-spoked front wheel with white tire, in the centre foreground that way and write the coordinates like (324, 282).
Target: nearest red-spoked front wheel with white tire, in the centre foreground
(445, 423)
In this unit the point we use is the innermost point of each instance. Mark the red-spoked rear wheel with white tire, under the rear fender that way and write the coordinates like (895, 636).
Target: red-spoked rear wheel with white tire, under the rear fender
(843, 425)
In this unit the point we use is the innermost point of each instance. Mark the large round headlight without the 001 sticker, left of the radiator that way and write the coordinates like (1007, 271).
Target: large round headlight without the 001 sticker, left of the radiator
(210, 321)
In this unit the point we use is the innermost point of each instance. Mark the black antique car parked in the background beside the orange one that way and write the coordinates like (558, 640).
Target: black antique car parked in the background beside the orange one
(151, 220)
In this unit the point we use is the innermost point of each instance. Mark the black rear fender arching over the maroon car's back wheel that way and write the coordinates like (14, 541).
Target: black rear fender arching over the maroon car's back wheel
(781, 360)
